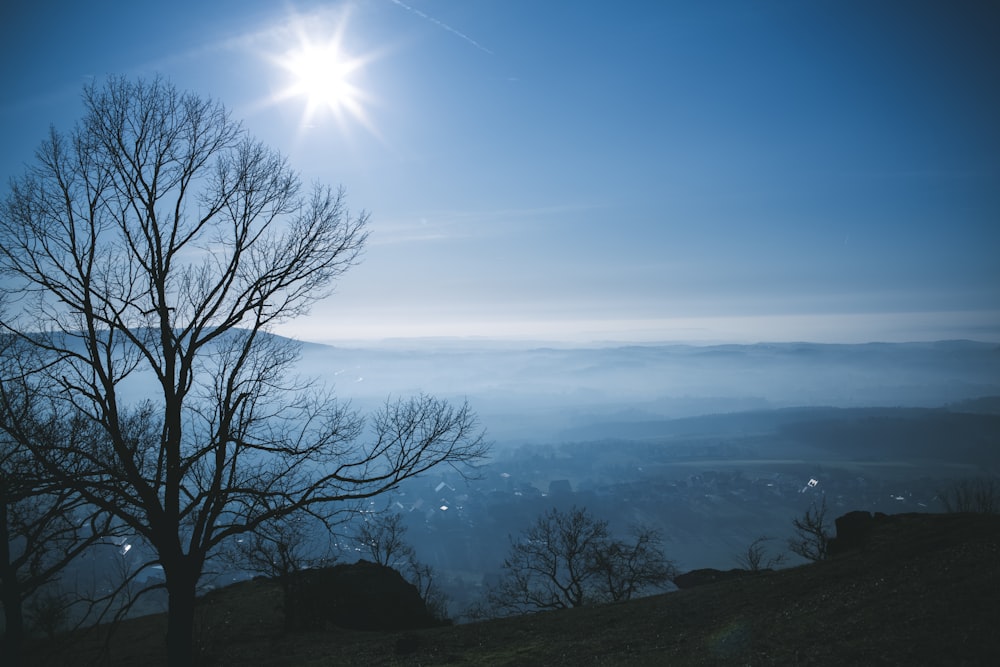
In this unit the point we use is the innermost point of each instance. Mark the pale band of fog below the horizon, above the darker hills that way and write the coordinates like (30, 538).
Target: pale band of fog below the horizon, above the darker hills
(545, 393)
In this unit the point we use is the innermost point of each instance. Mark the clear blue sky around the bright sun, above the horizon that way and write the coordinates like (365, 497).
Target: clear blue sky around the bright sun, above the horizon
(581, 171)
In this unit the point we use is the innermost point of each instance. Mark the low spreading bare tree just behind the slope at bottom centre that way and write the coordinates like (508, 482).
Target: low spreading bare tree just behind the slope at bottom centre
(570, 559)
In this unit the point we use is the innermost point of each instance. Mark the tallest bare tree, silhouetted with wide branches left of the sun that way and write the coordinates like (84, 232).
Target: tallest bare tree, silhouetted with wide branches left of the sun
(158, 242)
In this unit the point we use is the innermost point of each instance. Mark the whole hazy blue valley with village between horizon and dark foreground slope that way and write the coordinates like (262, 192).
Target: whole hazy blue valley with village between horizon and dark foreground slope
(711, 446)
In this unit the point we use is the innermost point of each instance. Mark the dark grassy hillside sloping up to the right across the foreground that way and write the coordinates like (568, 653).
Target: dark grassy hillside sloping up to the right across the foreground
(923, 591)
